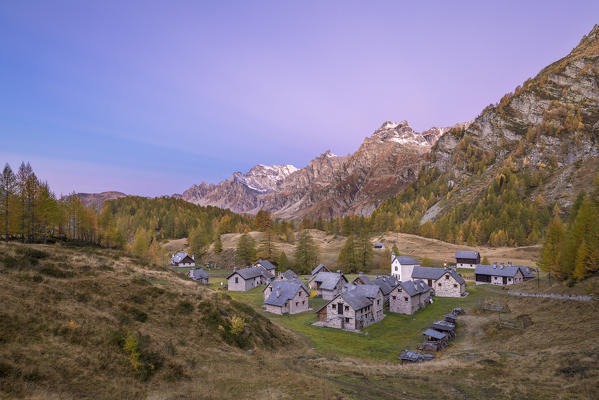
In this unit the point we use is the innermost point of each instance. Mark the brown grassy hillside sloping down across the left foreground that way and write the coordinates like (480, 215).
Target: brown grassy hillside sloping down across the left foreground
(86, 322)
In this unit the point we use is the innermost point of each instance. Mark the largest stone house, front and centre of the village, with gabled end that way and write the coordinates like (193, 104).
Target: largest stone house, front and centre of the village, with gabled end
(354, 309)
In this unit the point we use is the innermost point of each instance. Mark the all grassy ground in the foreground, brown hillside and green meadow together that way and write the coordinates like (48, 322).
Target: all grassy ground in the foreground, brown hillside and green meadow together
(89, 322)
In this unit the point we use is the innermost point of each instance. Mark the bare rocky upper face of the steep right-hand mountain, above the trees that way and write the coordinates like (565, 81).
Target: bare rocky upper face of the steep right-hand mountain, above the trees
(548, 126)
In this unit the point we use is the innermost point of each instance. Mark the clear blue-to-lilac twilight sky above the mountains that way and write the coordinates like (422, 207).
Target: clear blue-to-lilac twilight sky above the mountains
(150, 97)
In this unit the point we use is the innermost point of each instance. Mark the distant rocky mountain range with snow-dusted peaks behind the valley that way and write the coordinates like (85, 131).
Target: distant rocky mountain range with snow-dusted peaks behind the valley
(329, 186)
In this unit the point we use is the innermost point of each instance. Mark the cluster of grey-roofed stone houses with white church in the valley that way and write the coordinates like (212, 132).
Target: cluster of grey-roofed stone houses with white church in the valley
(352, 303)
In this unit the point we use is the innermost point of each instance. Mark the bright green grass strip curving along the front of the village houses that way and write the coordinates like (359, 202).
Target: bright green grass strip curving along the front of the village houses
(380, 341)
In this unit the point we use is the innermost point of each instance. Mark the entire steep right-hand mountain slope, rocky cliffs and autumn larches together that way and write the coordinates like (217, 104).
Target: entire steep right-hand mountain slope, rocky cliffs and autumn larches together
(498, 176)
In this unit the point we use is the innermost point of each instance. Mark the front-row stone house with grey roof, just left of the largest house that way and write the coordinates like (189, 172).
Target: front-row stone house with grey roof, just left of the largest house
(286, 297)
